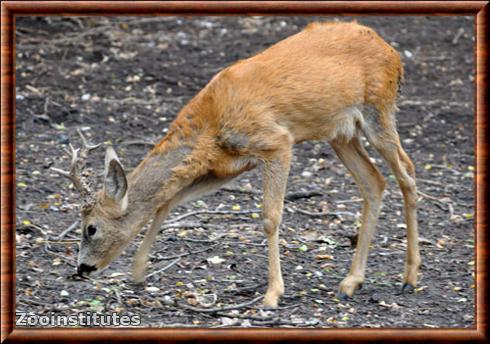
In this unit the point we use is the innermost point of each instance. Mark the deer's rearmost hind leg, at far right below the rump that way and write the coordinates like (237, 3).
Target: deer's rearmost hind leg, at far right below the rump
(387, 142)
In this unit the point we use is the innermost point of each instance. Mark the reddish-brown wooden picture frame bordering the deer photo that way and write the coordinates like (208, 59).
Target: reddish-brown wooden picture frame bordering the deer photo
(10, 9)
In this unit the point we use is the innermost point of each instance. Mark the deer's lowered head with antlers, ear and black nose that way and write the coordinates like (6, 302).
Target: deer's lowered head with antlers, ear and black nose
(103, 213)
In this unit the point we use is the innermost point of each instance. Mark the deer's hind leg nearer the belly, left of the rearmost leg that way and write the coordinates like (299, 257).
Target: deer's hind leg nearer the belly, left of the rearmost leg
(371, 184)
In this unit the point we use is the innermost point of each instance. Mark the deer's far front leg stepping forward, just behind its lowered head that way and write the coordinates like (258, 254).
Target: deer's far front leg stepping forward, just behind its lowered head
(141, 258)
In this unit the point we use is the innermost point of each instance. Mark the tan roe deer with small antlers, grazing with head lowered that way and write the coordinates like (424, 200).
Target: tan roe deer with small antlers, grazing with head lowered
(331, 82)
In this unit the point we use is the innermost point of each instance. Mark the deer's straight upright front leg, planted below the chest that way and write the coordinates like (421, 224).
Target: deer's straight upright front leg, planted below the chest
(275, 180)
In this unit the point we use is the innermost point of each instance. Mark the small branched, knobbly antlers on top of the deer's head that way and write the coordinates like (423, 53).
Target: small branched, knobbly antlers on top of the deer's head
(76, 173)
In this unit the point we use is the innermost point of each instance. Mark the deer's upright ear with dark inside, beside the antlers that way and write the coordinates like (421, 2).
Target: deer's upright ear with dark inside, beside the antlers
(115, 183)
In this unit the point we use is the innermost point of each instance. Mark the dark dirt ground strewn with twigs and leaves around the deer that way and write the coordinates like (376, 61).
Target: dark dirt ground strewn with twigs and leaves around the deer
(122, 80)
